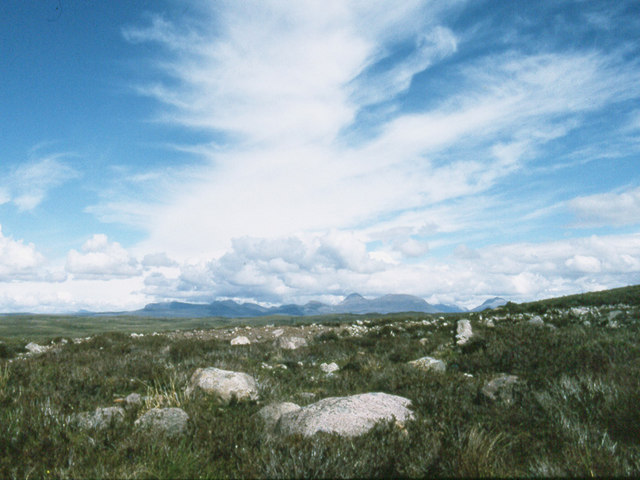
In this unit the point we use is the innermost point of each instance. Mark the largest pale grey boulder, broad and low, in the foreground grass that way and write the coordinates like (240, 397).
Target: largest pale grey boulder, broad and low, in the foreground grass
(346, 416)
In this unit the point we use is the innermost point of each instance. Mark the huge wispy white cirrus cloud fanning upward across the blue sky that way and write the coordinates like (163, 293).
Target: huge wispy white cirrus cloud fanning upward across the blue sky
(289, 96)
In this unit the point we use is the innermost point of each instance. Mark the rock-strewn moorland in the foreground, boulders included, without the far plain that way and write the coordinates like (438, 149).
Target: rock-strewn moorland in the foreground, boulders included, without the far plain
(549, 391)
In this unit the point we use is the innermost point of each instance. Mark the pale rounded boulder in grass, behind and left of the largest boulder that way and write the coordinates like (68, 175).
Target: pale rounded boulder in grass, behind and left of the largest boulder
(224, 385)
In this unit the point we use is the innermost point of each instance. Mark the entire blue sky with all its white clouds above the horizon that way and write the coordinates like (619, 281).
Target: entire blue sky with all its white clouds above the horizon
(285, 151)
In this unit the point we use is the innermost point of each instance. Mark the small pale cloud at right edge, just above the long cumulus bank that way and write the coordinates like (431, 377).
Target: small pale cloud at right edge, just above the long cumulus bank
(612, 208)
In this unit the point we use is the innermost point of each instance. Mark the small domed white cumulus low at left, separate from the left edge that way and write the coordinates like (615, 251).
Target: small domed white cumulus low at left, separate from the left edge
(102, 259)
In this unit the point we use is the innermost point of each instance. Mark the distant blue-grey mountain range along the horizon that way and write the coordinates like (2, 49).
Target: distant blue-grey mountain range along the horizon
(353, 303)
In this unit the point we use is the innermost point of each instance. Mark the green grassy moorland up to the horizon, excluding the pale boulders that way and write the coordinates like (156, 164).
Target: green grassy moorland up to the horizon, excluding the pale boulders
(575, 415)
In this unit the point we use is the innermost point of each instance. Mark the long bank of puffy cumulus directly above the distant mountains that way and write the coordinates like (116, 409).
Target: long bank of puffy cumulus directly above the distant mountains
(299, 269)
